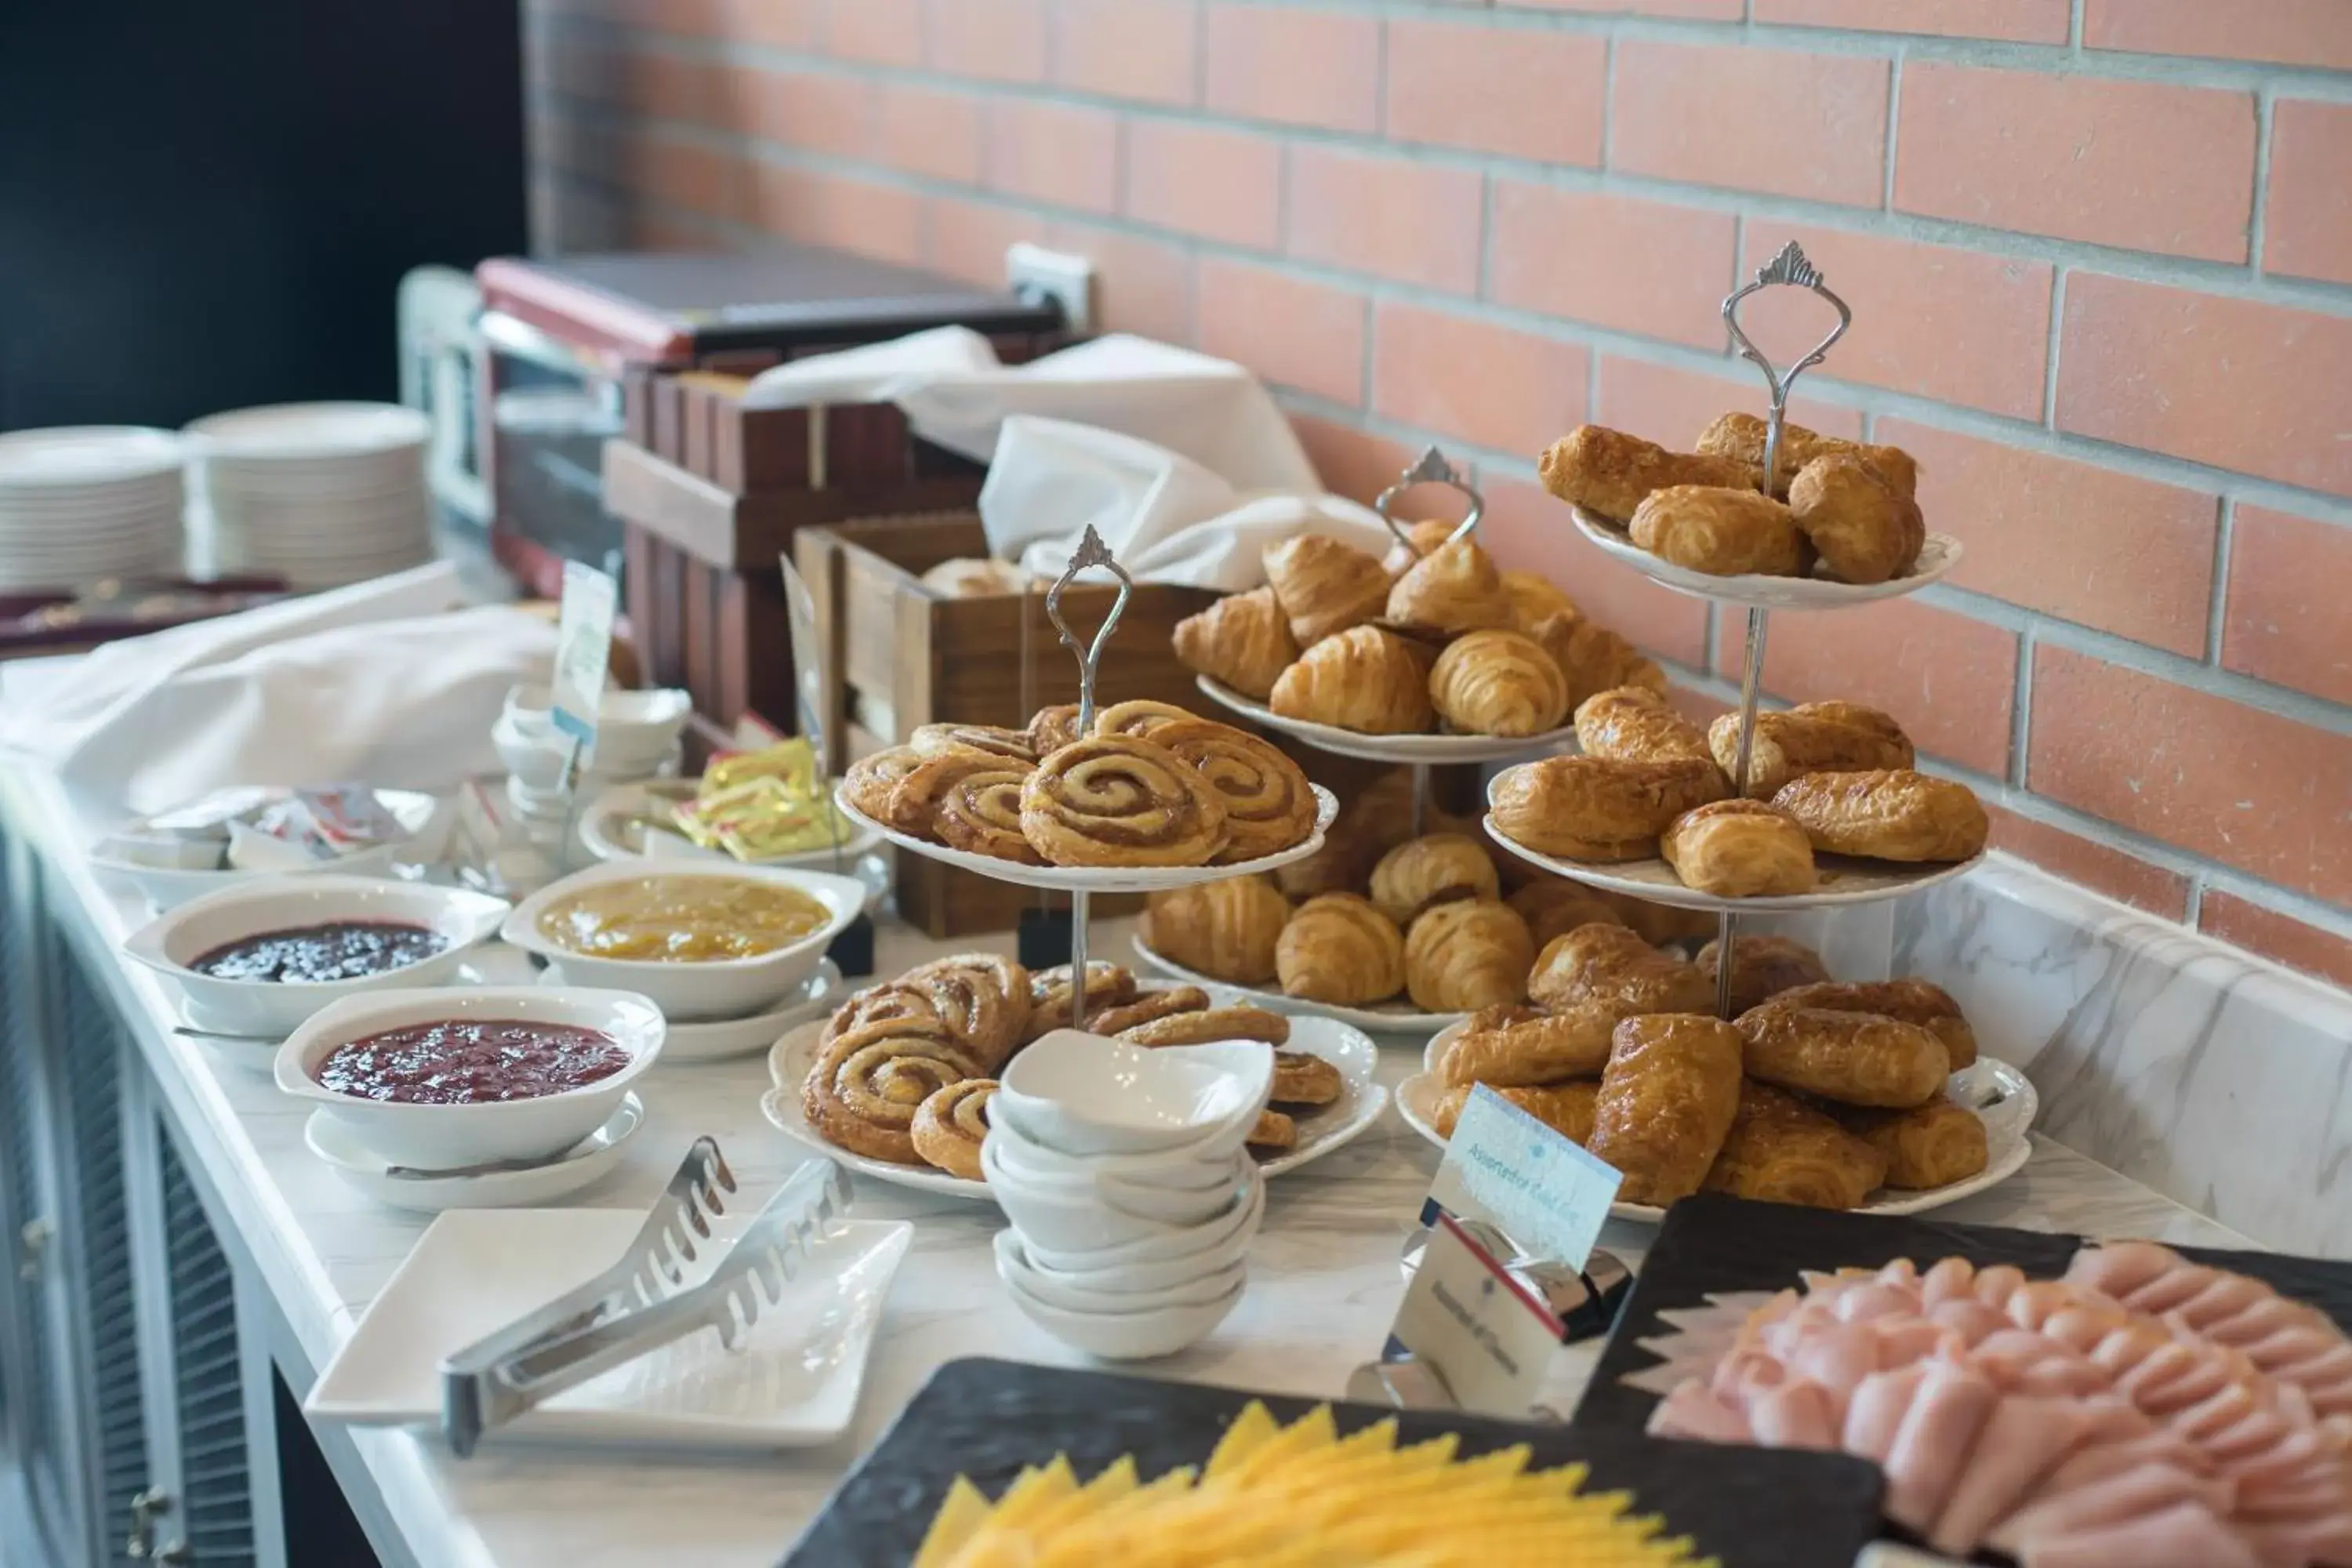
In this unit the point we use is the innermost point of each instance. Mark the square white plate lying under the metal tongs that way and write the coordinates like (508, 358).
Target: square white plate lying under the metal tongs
(794, 1383)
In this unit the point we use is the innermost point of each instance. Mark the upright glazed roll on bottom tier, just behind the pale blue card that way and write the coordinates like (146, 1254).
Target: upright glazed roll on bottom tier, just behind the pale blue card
(1669, 1097)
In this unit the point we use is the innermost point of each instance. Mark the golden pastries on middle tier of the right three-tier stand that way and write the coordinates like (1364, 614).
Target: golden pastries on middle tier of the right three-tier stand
(1822, 777)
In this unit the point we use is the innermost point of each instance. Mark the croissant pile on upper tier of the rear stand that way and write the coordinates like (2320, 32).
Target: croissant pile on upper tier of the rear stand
(1452, 643)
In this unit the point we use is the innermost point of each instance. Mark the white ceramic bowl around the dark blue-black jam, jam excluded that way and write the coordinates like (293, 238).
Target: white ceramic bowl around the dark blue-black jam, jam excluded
(255, 906)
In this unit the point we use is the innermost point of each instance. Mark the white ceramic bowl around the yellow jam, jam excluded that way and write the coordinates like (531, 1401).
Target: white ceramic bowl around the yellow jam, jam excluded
(716, 989)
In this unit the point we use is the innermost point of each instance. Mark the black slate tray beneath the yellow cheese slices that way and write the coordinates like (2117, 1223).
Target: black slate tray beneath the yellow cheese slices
(1753, 1508)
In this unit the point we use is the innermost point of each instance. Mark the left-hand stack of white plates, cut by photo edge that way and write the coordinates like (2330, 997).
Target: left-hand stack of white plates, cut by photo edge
(88, 502)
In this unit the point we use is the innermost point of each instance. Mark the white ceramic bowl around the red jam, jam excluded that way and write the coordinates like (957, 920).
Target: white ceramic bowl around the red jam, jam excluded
(448, 1137)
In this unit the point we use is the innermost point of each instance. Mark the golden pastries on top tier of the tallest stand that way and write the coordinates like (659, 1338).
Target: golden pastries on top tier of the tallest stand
(1838, 509)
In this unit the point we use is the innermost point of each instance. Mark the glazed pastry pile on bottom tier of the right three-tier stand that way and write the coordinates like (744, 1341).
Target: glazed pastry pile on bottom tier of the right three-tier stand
(1817, 1094)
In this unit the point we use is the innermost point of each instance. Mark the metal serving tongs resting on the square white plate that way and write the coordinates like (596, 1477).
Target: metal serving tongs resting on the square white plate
(641, 1304)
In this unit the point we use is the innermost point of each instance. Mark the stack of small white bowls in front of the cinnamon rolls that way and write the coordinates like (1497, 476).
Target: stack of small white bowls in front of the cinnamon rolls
(1130, 1195)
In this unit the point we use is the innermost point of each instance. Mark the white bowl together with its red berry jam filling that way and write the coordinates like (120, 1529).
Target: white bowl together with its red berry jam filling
(472, 1073)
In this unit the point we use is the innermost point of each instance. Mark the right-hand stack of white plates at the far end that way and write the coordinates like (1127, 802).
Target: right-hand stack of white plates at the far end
(316, 492)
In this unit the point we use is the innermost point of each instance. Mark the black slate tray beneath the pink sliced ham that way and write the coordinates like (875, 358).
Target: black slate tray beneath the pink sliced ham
(1716, 1242)
